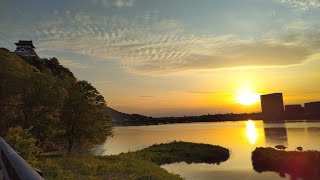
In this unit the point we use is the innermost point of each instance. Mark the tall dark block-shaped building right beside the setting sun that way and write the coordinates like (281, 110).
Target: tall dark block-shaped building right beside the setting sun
(272, 105)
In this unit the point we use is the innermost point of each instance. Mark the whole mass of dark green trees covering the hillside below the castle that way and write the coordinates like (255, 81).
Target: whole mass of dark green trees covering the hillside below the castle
(45, 95)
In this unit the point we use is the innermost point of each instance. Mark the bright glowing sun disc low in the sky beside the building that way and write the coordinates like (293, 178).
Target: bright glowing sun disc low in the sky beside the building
(246, 96)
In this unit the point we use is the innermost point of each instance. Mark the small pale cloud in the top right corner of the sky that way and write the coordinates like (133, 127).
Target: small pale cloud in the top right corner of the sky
(302, 4)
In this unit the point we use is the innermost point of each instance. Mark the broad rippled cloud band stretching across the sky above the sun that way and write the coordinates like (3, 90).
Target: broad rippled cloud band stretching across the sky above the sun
(154, 46)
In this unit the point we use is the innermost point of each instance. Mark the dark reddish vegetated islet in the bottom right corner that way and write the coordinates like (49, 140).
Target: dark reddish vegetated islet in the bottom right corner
(304, 165)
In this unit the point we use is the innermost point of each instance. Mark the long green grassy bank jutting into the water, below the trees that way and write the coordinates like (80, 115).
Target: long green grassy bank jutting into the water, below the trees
(143, 164)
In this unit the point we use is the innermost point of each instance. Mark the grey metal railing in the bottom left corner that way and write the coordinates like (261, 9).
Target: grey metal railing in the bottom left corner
(13, 166)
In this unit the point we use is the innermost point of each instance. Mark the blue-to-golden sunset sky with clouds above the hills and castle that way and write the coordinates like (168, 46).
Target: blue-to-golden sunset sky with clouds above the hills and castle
(176, 57)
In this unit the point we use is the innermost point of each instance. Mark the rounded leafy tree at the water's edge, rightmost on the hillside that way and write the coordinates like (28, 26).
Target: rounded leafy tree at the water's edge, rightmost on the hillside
(84, 118)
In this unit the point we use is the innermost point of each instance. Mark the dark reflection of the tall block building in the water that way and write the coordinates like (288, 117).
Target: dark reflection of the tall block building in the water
(275, 134)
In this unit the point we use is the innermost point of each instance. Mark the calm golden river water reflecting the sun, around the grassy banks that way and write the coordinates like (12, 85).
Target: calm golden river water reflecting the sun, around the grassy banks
(240, 137)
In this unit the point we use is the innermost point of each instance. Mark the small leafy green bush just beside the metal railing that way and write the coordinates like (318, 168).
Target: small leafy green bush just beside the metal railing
(24, 143)
